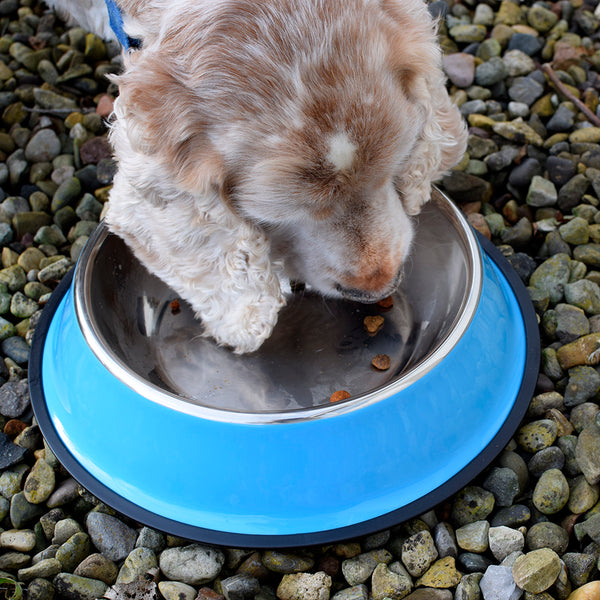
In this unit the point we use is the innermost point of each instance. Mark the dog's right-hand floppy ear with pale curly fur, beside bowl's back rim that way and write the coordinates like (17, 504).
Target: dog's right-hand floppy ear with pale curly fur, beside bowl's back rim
(417, 61)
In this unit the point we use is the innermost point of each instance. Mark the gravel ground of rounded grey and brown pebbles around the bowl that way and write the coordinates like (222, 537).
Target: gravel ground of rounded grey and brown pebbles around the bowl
(526, 78)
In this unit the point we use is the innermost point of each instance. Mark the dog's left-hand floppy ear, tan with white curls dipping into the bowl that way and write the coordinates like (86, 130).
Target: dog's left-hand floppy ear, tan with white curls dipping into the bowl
(168, 202)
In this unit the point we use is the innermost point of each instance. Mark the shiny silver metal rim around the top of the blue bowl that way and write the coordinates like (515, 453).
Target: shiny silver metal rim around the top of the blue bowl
(82, 290)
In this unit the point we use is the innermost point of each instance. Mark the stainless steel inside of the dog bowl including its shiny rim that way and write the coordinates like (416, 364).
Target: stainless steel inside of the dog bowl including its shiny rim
(318, 347)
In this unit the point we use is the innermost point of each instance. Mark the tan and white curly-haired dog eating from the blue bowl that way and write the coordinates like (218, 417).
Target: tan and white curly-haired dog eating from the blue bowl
(262, 141)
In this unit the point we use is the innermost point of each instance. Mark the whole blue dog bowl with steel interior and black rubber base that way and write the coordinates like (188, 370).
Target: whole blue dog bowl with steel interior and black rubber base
(184, 436)
